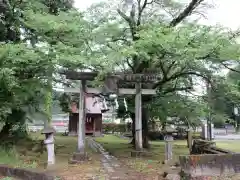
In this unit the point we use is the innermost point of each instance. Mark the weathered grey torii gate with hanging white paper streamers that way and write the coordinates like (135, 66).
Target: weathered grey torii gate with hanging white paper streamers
(111, 87)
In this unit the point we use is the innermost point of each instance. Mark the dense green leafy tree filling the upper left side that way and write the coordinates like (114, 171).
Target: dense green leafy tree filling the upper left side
(34, 34)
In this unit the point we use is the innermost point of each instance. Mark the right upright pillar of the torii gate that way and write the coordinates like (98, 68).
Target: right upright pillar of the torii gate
(138, 117)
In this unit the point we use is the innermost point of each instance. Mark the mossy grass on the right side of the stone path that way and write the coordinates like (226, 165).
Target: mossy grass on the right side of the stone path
(121, 148)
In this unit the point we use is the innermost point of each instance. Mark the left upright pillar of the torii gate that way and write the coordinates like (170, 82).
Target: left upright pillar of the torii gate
(82, 118)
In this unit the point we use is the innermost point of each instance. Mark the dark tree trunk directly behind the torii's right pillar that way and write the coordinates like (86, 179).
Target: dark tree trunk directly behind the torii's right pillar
(145, 119)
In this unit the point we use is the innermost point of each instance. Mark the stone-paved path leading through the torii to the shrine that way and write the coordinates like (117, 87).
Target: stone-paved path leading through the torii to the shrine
(113, 168)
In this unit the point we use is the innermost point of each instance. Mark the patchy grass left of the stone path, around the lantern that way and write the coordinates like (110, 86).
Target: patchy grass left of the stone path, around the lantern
(25, 154)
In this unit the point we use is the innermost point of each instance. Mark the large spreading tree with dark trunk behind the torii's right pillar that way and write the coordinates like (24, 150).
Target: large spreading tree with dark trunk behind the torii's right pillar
(143, 35)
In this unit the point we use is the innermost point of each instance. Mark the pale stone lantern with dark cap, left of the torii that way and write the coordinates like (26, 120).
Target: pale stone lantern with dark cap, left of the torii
(49, 142)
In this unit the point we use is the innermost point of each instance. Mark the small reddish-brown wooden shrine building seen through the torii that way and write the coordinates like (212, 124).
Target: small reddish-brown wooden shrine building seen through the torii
(93, 124)
